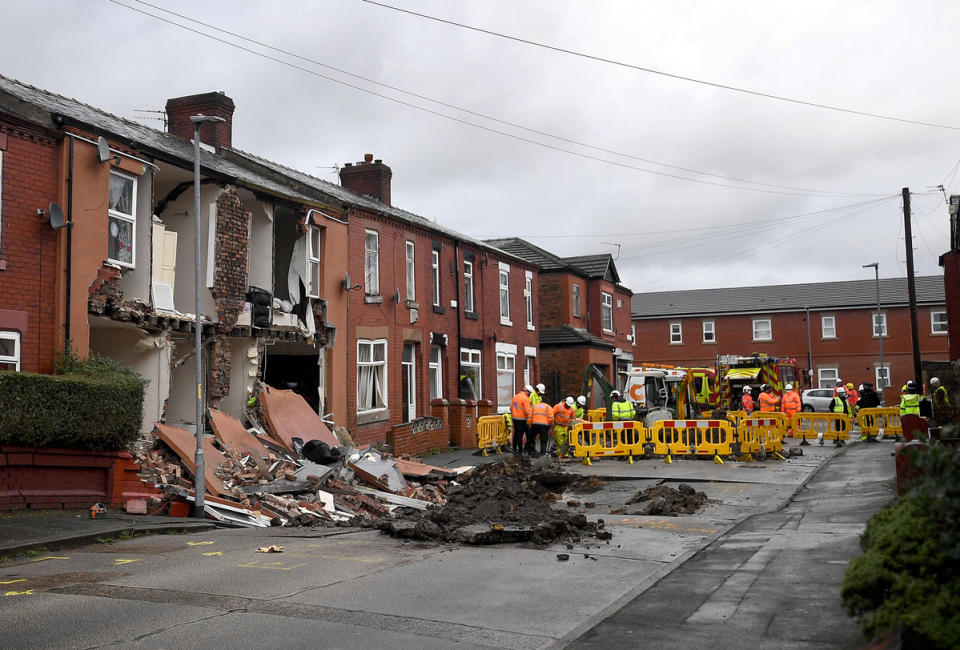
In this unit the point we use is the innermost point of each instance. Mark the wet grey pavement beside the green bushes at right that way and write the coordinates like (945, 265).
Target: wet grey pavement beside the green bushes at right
(773, 581)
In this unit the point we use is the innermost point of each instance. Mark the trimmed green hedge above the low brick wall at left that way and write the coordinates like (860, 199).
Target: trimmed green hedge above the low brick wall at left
(93, 404)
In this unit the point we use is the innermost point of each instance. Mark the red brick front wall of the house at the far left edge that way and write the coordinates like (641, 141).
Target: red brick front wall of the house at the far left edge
(28, 246)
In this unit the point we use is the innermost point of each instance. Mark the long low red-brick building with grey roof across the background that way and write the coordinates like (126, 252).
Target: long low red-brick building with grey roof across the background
(693, 327)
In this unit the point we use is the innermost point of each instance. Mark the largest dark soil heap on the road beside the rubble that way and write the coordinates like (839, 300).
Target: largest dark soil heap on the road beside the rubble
(501, 502)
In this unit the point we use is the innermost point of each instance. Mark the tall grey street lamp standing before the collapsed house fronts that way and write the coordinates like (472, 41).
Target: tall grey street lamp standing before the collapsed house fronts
(199, 484)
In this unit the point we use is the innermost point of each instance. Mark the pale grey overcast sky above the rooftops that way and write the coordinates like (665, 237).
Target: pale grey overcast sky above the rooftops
(891, 58)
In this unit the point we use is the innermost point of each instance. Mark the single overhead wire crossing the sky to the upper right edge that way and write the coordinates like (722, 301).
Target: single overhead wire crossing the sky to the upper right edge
(662, 73)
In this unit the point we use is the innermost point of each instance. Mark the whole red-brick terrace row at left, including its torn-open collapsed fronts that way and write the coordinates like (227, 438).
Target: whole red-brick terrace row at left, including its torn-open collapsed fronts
(369, 312)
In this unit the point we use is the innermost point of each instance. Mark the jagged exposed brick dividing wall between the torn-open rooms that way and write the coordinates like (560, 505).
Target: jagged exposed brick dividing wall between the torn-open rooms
(231, 260)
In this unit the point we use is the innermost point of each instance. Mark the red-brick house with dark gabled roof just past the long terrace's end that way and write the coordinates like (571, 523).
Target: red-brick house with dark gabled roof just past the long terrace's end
(584, 317)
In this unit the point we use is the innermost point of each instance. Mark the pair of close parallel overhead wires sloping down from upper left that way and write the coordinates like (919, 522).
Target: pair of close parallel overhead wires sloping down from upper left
(786, 189)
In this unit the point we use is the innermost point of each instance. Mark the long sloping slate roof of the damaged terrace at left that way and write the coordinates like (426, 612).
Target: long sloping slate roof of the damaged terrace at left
(45, 108)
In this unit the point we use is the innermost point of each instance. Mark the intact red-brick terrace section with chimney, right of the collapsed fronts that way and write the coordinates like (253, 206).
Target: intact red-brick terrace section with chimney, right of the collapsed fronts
(433, 314)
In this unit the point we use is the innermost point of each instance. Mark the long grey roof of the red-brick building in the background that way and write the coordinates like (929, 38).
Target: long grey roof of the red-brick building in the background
(786, 297)
